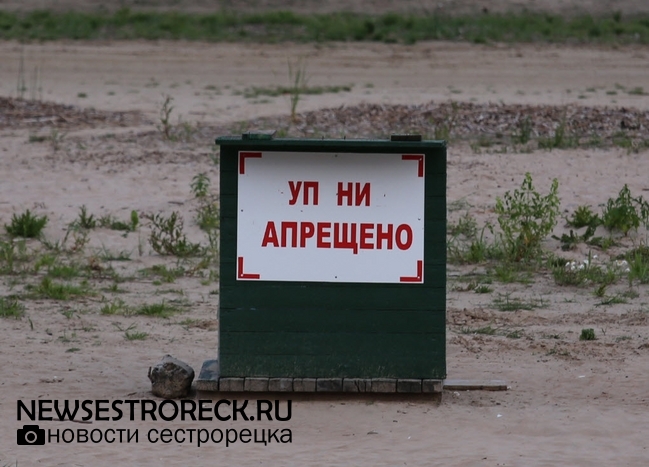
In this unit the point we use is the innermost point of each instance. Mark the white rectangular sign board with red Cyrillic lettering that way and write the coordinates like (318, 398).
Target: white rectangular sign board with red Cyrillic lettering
(330, 217)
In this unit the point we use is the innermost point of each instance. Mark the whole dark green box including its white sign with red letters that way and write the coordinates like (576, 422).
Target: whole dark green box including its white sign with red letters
(333, 258)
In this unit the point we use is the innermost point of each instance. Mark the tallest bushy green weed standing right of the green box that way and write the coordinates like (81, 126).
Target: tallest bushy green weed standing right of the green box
(526, 218)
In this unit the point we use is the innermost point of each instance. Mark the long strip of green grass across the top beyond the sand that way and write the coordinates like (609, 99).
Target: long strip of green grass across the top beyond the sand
(278, 26)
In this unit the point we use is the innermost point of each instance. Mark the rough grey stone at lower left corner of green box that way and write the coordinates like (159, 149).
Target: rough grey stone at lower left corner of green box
(171, 378)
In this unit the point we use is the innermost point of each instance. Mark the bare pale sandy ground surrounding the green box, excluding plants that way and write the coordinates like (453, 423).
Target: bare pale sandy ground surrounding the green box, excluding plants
(570, 402)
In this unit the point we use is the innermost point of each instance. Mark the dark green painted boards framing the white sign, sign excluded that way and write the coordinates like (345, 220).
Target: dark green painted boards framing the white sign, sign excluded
(331, 329)
